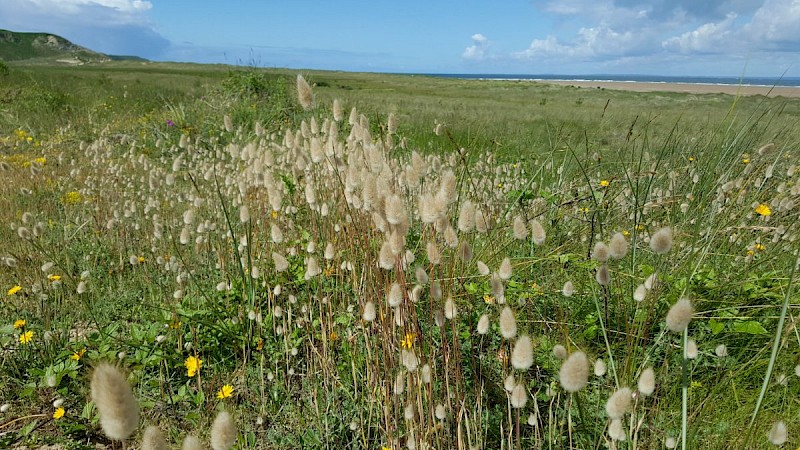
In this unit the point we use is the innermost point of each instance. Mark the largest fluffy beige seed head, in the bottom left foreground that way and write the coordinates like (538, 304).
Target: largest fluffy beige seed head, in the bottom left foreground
(113, 397)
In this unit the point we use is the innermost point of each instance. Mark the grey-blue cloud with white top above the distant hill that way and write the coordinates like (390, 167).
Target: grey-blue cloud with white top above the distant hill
(119, 27)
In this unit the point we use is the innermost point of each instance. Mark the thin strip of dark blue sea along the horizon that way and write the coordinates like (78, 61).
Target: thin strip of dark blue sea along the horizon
(735, 81)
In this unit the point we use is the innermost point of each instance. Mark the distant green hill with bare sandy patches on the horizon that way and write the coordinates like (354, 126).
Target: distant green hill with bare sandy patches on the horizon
(48, 48)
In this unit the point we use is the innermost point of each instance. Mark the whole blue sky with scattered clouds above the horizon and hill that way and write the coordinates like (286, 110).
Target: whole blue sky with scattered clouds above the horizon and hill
(659, 37)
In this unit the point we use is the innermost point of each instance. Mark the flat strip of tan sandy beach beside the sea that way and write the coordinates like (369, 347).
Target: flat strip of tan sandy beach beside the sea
(781, 91)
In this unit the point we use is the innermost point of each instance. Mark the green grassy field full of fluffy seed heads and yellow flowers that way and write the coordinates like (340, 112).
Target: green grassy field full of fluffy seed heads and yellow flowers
(408, 262)
